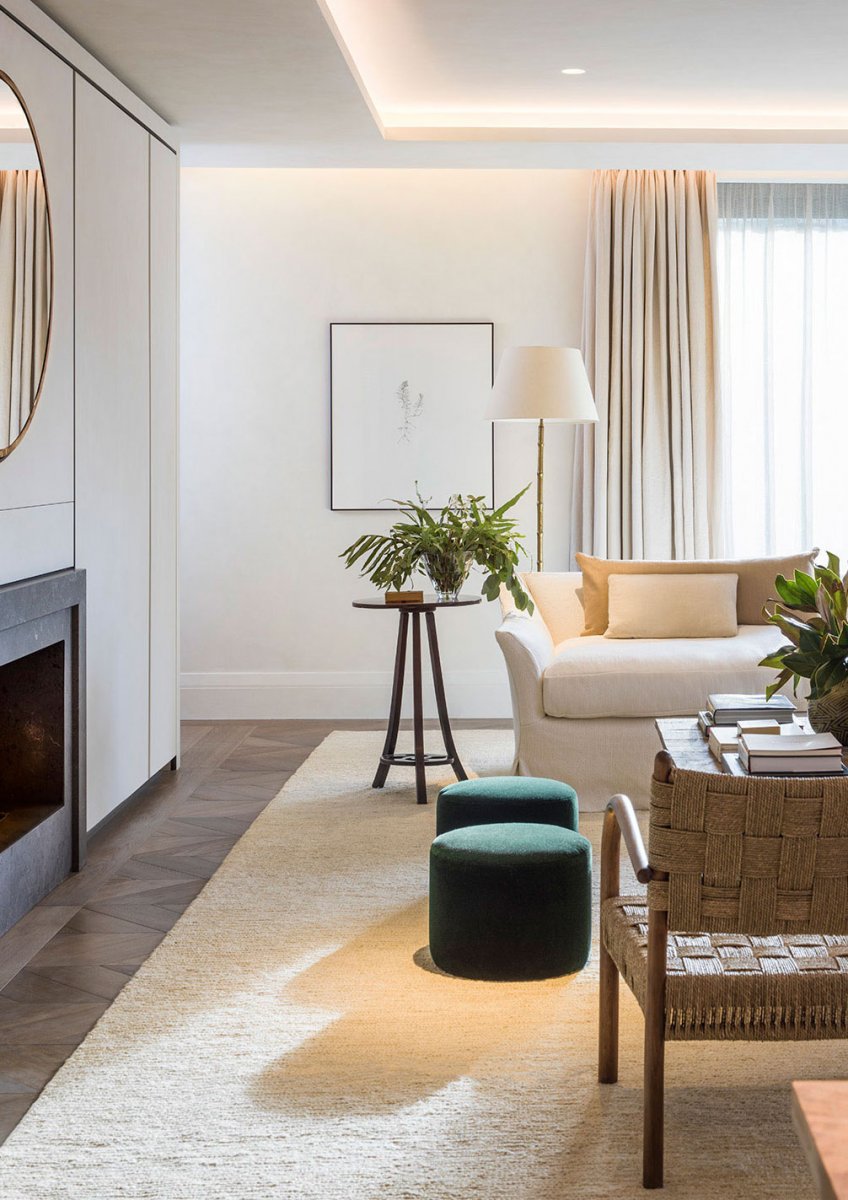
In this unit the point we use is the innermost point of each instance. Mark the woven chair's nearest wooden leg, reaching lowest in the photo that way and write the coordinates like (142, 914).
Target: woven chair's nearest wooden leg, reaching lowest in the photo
(655, 1053)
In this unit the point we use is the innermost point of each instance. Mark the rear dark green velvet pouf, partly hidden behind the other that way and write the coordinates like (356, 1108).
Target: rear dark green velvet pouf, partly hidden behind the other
(503, 799)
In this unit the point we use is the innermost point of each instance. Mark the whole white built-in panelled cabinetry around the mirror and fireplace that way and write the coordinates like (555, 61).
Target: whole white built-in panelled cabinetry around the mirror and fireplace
(94, 482)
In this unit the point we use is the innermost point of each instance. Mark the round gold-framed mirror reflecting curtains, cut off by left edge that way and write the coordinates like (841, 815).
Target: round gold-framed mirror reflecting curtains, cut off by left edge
(26, 268)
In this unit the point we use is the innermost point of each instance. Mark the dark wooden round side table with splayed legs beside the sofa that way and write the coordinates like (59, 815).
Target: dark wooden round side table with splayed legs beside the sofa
(418, 759)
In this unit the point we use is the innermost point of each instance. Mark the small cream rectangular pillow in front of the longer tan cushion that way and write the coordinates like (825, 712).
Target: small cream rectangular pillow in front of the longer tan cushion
(672, 607)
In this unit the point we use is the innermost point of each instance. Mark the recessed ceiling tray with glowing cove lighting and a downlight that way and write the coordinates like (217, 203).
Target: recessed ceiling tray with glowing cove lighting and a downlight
(434, 68)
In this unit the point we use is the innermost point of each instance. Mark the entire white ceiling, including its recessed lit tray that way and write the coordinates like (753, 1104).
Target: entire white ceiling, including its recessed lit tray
(478, 83)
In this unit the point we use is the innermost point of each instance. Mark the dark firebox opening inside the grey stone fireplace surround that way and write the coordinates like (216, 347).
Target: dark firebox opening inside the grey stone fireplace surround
(32, 741)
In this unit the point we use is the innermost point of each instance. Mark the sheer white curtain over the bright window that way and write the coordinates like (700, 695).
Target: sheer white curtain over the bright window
(784, 316)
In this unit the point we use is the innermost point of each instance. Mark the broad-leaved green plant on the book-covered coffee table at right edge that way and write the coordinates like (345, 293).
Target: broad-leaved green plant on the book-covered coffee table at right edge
(819, 649)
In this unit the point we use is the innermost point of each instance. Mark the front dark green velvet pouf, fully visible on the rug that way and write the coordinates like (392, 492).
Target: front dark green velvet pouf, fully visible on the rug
(510, 902)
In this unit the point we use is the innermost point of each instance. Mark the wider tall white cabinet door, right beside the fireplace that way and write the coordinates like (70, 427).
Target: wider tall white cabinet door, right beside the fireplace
(113, 441)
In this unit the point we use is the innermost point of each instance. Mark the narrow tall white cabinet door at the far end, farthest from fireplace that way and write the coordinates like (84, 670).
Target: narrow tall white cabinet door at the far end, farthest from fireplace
(164, 434)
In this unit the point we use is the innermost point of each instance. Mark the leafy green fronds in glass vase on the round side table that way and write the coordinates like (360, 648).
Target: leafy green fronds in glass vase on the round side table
(446, 545)
